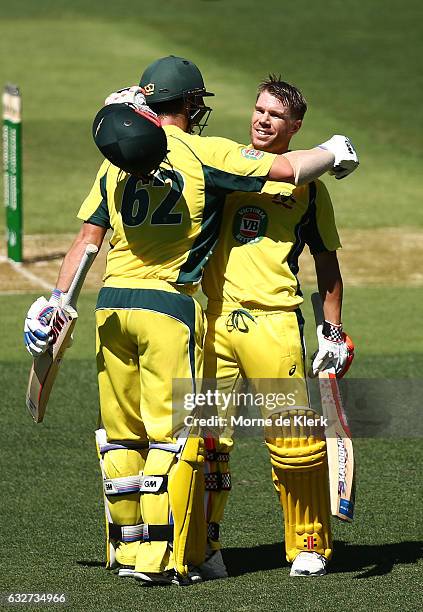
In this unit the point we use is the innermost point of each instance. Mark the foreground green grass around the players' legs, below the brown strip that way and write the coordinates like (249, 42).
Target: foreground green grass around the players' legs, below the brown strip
(52, 509)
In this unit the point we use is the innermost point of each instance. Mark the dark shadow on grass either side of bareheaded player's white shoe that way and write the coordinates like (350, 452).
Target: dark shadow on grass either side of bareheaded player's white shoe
(371, 560)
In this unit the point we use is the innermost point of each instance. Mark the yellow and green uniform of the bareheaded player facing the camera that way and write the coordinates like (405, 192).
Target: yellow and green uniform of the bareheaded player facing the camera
(255, 332)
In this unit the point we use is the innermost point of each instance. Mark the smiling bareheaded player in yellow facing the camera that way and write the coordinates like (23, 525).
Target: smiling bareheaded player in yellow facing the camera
(255, 326)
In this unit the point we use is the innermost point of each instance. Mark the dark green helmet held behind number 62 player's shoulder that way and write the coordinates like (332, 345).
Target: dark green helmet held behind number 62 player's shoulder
(131, 139)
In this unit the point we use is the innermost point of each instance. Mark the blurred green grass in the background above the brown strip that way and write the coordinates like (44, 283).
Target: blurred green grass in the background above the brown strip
(357, 66)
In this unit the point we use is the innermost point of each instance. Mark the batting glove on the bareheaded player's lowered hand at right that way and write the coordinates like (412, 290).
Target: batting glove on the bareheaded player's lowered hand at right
(336, 350)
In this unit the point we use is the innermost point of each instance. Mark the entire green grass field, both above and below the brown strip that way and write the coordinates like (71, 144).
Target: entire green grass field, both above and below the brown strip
(358, 66)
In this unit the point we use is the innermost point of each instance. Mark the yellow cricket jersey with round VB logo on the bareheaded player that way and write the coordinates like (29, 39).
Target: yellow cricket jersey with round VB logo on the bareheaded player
(255, 262)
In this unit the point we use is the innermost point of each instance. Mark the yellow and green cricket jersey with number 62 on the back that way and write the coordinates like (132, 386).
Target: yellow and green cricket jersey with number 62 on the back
(166, 229)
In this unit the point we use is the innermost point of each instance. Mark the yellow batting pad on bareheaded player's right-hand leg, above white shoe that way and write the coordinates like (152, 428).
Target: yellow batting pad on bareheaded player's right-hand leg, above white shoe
(300, 471)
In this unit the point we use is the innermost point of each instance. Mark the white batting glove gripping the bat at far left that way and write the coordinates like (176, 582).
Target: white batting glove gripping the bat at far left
(39, 331)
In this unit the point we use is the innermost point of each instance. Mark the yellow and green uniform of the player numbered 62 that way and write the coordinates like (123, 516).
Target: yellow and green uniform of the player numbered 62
(149, 328)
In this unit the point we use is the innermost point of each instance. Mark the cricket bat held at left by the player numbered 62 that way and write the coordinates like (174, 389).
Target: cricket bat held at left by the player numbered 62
(46, 366)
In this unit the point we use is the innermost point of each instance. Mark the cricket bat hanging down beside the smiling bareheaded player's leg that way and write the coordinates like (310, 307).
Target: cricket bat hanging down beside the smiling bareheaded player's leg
(338, 437)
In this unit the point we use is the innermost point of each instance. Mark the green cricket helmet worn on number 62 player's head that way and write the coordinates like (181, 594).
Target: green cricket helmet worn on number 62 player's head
(172, 78)
